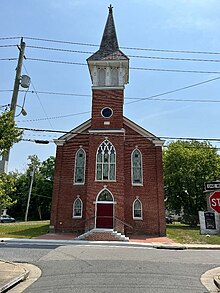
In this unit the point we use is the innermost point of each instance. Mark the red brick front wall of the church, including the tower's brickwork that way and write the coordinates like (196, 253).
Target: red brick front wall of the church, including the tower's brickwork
(150, 194)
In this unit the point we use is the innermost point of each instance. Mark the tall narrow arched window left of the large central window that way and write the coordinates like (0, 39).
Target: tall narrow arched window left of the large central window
(80, 161)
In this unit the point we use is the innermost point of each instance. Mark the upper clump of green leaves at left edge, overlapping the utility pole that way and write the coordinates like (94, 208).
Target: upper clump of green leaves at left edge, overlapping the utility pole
(9, 133)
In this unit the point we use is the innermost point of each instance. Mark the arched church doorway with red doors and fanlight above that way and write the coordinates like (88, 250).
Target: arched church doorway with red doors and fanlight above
(104, 210)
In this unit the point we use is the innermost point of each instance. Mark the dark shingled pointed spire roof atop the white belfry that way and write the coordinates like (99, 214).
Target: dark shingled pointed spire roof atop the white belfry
(109, 49)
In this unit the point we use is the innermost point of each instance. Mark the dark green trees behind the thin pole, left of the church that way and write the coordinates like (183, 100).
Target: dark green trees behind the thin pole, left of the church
(41, 194)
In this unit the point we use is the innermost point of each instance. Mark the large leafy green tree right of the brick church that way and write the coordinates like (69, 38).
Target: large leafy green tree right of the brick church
(187, 165)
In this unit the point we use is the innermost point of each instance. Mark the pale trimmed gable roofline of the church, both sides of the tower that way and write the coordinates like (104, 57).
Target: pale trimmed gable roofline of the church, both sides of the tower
(87, 126)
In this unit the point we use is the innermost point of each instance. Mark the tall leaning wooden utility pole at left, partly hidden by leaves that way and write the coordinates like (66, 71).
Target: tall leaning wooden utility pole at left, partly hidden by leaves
(5, 157)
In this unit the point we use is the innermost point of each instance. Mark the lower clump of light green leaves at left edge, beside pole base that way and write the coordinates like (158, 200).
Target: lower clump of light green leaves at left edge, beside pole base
(7, 187)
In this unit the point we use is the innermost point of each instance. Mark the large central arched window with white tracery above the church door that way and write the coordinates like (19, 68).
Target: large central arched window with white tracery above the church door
(105, 161)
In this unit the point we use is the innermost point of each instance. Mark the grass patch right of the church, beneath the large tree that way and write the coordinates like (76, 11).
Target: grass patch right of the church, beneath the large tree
(184, 234)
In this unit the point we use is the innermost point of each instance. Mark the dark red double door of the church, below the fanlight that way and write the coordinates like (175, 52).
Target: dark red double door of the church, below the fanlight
(104, 215)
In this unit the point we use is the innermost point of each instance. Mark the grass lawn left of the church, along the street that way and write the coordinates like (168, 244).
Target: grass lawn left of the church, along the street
(23, 229)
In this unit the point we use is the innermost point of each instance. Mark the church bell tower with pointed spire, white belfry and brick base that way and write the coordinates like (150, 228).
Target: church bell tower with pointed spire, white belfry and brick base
(109, 71)
